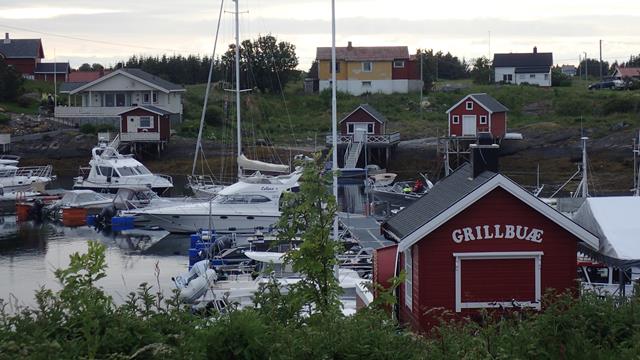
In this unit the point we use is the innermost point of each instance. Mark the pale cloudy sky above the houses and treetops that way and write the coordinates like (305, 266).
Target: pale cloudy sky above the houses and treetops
(82, 31)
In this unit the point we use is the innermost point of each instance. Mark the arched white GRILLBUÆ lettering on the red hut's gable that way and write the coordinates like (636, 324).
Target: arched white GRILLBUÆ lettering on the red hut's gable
(498, 231)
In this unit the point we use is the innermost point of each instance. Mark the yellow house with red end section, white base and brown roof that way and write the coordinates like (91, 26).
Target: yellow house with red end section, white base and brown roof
(372, 69)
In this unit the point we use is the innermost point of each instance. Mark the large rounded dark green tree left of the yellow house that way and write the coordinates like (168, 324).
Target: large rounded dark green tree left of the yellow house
(265, 63)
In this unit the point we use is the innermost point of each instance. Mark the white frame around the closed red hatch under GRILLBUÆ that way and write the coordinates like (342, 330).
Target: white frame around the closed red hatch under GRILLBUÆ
(536, 255)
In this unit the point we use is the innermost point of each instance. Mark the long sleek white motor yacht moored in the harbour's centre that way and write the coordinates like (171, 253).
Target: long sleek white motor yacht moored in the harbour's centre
(251, 204)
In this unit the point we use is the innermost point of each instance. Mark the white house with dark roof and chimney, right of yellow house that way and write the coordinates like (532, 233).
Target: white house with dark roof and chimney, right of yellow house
(523, 68)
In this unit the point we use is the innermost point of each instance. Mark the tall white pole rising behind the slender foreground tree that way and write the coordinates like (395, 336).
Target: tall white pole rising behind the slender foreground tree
(334, 111)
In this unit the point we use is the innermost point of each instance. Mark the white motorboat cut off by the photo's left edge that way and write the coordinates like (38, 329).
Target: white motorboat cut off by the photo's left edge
(15, 179)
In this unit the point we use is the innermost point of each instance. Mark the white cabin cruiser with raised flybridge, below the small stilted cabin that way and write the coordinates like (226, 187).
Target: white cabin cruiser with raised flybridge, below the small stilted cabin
(109, 171)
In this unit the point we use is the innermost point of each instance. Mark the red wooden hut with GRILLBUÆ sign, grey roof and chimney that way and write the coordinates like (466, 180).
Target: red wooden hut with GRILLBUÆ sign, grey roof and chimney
(478, 240)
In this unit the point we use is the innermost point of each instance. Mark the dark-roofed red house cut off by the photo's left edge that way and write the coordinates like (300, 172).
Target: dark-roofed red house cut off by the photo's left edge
(22, 54)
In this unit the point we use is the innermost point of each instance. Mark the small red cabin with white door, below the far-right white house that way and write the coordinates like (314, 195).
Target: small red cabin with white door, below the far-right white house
(477, 113)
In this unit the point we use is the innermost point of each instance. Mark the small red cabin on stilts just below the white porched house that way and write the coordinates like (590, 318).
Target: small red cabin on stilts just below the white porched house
(145, 124)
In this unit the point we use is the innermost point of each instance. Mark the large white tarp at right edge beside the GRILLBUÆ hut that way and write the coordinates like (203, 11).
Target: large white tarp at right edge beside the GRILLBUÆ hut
(616, 222)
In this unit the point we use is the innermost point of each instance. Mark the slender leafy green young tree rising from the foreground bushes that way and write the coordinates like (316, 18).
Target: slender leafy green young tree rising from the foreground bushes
(309, 215)
